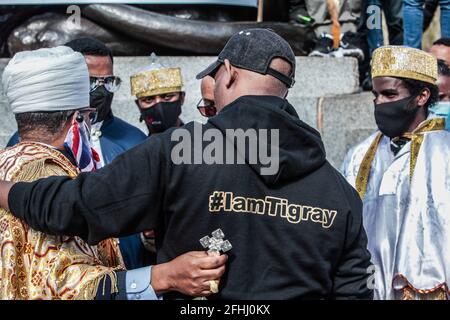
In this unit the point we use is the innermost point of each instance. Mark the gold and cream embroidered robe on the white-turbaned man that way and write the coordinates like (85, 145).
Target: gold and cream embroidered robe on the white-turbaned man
(34, 265)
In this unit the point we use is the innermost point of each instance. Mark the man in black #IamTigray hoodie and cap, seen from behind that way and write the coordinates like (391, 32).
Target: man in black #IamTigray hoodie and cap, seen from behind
(294, 223)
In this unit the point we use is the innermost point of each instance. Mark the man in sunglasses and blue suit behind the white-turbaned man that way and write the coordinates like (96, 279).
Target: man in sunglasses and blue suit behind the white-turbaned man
(110, 135)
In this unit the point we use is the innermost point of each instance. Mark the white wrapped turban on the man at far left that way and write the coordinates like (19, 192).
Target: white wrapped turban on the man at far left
(54, 79)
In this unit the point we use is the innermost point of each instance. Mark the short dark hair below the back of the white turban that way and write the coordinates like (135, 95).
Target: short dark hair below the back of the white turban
(41, 123)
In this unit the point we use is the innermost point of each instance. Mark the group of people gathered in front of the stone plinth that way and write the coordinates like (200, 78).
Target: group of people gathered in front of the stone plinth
(93, 208)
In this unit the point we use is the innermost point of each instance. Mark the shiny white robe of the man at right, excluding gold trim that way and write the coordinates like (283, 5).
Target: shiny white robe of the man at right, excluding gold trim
(407, 220)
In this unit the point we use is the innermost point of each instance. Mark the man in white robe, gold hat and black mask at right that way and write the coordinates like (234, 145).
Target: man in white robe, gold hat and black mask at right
(402, 174)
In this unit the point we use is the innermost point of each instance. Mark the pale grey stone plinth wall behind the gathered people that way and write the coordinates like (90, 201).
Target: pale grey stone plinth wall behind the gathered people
(325, 96)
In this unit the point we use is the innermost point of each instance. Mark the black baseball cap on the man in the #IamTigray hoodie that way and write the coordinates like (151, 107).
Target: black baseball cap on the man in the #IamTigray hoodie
(254, 50)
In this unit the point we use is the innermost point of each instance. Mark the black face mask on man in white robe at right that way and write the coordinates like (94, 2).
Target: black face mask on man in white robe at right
(394, 118)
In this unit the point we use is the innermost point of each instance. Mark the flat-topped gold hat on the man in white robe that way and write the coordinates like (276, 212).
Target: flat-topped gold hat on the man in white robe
(404, 62)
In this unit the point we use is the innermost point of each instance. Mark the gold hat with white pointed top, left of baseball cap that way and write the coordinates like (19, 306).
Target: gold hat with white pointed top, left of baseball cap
(156, 79)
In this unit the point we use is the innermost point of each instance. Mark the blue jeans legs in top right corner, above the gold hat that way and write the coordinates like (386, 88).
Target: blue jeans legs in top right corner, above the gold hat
(413, 21)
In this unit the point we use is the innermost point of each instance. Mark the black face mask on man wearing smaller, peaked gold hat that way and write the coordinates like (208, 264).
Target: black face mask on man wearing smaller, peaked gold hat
(161, 116)
